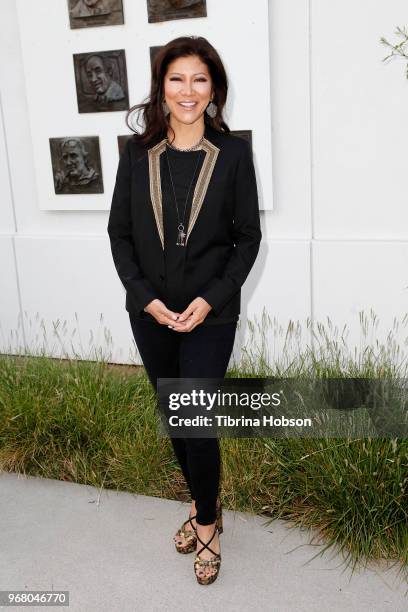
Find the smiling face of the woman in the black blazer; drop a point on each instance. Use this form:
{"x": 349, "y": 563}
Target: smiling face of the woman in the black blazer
{"x": 187, "y": 89}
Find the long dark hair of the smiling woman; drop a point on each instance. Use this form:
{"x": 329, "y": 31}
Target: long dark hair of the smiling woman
{"x": 155, "y": 122}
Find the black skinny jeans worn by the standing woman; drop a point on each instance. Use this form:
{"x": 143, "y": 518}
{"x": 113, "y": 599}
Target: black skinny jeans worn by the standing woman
{"x": 202, "y": 353}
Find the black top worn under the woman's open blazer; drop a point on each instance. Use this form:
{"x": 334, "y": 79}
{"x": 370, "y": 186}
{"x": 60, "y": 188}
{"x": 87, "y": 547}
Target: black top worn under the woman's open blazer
{"x": 185, "y": 168}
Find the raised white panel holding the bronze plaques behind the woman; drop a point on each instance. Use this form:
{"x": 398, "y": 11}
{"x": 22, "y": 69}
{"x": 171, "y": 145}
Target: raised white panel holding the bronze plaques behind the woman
{"x": 50, "y": 83}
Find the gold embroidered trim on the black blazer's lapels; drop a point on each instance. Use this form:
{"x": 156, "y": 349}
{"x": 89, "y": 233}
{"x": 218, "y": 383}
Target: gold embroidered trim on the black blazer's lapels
{"x": 200, "y": 190}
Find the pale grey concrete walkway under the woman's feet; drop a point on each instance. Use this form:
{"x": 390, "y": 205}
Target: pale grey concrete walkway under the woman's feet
{"x": 113, "y": 552}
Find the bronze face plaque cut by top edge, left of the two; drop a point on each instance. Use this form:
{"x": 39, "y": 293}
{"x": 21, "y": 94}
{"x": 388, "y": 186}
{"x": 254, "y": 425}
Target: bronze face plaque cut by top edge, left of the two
{"x": 90, "y": 13}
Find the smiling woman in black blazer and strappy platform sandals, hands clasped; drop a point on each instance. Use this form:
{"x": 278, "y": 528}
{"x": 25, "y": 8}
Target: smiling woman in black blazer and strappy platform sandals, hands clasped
{"x": 185, "y": 231}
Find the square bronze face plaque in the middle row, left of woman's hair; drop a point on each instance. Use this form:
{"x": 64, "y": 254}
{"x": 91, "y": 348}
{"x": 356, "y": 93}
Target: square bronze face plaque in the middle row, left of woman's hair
{"x": 101, "y": 81}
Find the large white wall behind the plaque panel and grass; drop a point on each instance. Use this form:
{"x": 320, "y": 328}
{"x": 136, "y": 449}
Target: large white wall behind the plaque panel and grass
{"x": 335, "y": 242}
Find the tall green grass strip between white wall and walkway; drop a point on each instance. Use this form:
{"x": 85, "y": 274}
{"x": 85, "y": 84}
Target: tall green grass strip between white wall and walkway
{"x": 92, "y": 423}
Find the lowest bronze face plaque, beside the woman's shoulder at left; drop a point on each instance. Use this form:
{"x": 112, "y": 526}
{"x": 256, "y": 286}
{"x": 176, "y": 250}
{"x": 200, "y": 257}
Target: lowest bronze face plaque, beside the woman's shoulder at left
{"x": 76, "y": 165}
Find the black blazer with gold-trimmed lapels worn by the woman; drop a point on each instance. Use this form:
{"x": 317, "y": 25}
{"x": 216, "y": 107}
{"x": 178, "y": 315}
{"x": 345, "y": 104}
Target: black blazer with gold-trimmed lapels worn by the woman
{"x": 223, "y": 233}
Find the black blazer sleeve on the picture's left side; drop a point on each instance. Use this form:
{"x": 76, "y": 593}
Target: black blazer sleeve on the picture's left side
{"x": 120, "y": 235}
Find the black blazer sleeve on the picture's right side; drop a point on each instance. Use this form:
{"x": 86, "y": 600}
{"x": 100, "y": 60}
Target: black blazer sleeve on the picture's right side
{"x": 247, "y": 236}
